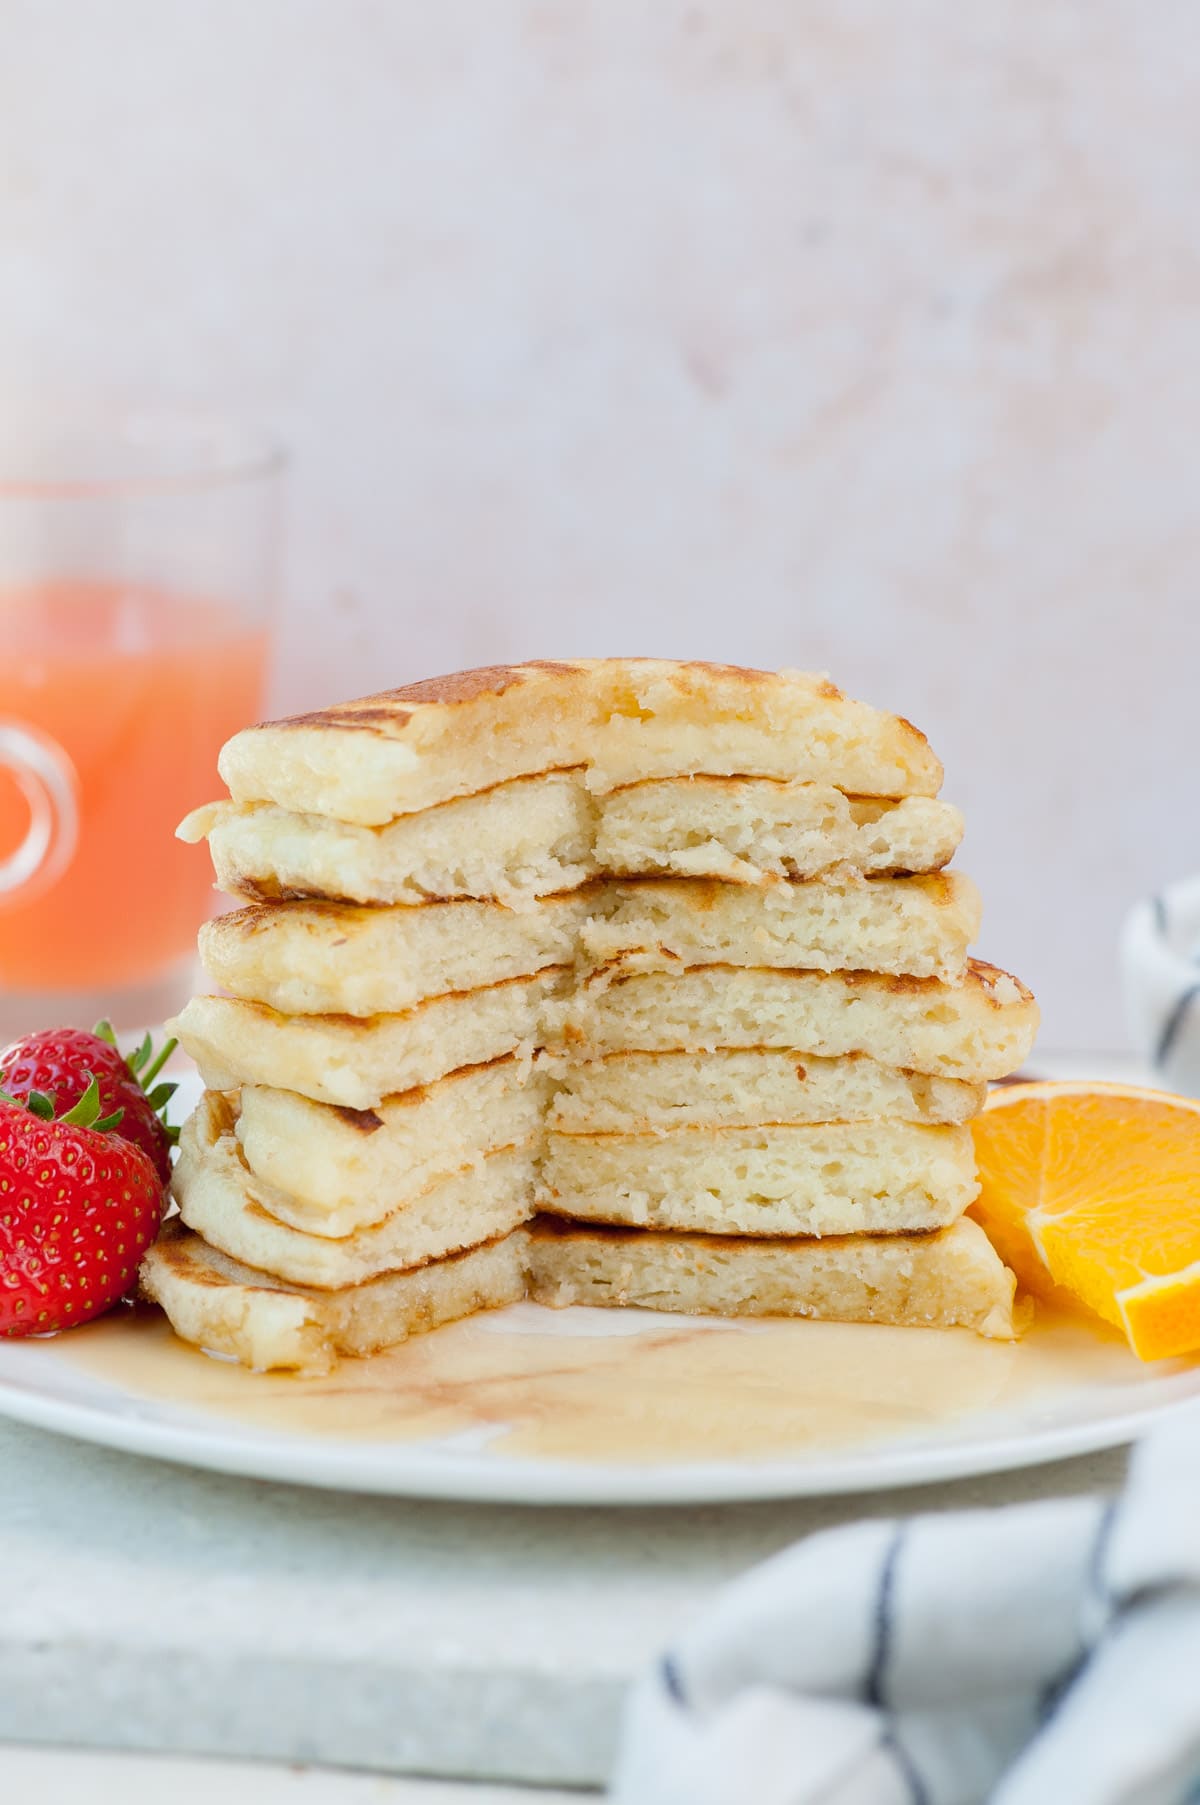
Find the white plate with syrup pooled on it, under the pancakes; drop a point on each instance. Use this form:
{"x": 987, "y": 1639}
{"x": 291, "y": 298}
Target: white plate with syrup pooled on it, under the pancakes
{"x": 607, "y": 1407}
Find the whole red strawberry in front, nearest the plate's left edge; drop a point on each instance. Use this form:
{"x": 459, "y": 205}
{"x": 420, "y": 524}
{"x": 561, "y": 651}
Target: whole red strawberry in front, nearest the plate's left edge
{"x": 78, "y": 1208}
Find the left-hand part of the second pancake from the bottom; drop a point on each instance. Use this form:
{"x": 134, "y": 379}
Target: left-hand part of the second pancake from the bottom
{"x": 248, "y": 1219}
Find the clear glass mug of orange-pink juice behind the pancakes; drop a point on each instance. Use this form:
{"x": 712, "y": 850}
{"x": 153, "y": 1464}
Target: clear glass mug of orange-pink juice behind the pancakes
{"x": 138, "y": 579}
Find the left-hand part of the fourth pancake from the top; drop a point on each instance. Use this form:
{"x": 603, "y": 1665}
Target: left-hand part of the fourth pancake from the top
{"x": 358, "y": 1062}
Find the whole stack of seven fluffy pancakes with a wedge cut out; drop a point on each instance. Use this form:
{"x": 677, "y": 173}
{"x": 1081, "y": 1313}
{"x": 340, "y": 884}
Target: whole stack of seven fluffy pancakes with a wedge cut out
{"x": 609, "y": 983}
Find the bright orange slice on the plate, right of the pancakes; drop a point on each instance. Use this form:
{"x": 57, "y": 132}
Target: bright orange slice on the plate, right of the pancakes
{"x": 1093, "y": 1196}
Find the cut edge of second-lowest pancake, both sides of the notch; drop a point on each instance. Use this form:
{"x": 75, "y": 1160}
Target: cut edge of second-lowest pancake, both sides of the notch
{"x": 412, "y": 1205}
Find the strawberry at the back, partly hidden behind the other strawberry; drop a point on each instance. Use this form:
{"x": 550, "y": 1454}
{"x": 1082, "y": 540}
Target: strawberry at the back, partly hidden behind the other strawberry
{"x": 64, "y": 1060}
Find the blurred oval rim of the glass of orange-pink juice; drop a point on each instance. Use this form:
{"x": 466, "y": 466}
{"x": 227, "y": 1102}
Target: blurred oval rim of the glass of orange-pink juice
{"x": 194, "y": 454}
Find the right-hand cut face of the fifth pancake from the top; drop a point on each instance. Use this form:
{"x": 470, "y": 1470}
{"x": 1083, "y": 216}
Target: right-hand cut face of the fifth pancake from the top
{"x": 629, "y": 1093}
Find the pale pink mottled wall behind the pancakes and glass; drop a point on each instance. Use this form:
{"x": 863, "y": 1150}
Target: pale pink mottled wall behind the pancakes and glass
{"x": 836, "y": 335}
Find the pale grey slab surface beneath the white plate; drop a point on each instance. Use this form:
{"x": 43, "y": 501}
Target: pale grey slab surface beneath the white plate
{"x": 178, "y": 1611}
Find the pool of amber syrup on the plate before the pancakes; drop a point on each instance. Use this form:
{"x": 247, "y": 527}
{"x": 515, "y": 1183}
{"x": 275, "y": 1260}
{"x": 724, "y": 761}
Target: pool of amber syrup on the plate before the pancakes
{"x": 618, "y": 1387}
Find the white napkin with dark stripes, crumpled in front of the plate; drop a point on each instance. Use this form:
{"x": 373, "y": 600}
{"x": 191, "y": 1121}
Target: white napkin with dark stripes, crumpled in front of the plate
{"x": 1040, "y": 1654}
